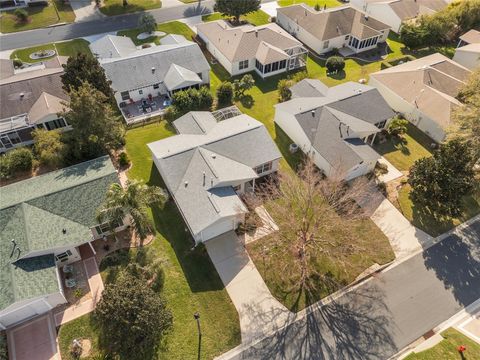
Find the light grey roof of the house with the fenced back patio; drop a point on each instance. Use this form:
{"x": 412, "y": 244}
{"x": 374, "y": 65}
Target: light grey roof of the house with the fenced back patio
{"x": 149, "y": 66}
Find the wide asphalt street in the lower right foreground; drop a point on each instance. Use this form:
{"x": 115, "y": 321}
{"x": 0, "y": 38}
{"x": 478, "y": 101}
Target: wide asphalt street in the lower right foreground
{"x": 395, "y": 308}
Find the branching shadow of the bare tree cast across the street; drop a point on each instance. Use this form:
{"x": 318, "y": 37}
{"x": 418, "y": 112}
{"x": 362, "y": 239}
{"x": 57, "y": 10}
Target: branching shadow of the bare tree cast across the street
{"x": 356, "y": 326}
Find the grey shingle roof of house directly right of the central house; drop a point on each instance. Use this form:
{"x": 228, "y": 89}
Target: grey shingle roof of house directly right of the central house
{"x": 331, "y": 117}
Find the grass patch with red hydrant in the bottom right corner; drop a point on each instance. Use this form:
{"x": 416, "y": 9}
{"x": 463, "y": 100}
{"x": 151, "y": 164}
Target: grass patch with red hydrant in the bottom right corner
{"x": 447, "y": 349}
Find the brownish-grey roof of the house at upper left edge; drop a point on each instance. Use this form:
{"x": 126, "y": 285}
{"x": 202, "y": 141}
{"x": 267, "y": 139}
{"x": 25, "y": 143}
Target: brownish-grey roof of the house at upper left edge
{"x": 19, "y": 92}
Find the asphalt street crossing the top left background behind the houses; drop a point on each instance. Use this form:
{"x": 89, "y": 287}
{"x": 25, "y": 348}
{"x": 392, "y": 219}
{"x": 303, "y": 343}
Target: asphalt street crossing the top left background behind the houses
{"x": 109, "y": 24}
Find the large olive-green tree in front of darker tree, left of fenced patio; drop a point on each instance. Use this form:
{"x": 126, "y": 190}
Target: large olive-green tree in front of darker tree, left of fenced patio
{"x": 96, "y": 127}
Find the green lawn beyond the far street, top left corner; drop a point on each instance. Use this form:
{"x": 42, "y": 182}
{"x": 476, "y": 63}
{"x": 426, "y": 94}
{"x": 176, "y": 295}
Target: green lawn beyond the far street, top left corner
{"x": 39, "y": 16}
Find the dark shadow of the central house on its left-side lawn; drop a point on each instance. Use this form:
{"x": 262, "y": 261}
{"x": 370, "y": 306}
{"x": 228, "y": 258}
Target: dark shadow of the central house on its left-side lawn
{"x": 195, "y": 262}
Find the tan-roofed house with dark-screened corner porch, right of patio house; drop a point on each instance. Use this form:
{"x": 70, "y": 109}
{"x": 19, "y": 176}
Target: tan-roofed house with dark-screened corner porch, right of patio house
{"x": 267, "y": 49}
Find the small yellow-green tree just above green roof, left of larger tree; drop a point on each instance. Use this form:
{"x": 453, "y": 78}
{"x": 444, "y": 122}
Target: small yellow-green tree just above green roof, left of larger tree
{"x": 48, "y": 147}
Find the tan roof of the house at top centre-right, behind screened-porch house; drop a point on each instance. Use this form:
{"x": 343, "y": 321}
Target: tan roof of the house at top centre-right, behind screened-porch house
{"x": 334, "y": 22}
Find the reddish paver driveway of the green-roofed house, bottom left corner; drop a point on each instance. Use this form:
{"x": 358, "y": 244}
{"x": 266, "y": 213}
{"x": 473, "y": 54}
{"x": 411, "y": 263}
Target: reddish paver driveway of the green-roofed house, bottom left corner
{"x": 35, "y": 340}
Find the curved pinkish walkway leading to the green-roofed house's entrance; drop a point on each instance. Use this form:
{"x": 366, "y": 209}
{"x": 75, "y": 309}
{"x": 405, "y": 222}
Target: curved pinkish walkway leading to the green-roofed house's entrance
{"x": 96, "y": 288}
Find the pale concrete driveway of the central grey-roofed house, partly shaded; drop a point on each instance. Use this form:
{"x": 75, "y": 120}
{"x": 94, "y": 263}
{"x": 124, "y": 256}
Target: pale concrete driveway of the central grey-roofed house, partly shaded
{"x": 260, "y": 313}
